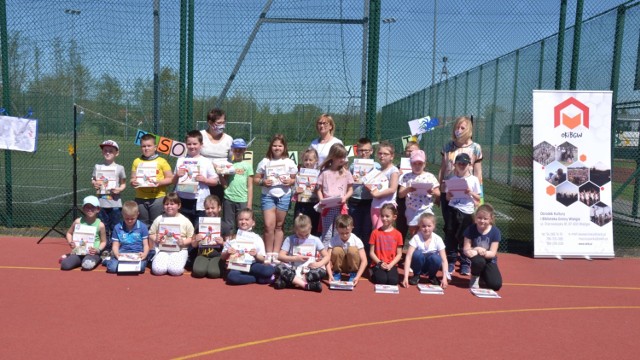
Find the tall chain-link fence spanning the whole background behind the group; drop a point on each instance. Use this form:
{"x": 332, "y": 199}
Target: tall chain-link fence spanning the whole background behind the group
{"x": 275, "y": 65}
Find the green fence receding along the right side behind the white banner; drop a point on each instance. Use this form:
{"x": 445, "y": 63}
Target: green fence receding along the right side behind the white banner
{"x": 497, "y": 94}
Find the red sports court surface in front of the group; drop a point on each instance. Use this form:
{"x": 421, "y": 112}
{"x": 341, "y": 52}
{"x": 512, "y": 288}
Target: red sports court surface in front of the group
{"x": 571, "y": 309}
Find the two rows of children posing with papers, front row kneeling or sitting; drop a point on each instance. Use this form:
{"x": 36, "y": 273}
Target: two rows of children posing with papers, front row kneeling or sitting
{"x": 343, "y": 222}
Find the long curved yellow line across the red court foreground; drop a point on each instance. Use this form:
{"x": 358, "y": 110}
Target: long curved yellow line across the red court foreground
{"x": 394, "y": 321}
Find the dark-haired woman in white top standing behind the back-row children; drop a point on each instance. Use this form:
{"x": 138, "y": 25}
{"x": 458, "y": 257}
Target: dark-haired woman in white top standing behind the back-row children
{"x": 215, "y": 143}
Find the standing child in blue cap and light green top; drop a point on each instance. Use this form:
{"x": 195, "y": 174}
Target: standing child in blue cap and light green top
{"x": 238, "y": 192}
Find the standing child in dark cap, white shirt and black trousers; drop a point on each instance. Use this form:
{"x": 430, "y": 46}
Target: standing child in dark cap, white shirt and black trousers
{"x": 461, "y": 207}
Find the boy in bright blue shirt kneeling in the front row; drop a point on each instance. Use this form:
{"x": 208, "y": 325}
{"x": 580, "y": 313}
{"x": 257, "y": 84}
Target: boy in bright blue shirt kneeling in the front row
{"x": 129, "y": 236}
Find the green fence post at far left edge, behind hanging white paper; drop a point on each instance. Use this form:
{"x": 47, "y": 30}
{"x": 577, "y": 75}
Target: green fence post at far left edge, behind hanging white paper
{"x": 6, "y": 100}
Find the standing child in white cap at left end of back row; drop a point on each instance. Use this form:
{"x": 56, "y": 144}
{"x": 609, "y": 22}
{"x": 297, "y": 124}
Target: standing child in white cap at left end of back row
{"x": 109, "y": 180}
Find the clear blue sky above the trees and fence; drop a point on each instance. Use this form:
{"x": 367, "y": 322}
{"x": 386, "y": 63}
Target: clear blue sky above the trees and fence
{"x": 293, "y": 63}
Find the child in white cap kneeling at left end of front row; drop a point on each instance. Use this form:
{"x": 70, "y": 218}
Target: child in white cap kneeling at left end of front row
{"x": 90, "y": 258}
